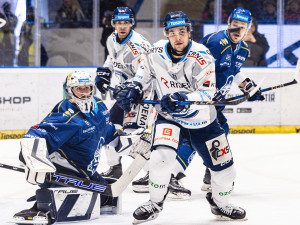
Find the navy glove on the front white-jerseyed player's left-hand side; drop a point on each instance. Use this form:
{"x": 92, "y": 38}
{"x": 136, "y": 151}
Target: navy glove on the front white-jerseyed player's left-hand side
{"x": 126, "y": 95}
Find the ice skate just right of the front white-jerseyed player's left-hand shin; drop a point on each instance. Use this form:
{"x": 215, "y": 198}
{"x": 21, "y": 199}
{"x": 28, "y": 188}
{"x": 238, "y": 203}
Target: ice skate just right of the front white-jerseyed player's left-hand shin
{"x": 176, "y": 189}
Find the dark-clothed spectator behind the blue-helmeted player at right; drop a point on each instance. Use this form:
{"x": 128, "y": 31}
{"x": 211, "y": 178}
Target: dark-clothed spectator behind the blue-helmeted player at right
{"x": 258, "y": 47}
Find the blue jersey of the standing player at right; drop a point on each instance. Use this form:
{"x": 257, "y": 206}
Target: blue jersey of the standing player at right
{"x": 228, "y": 62}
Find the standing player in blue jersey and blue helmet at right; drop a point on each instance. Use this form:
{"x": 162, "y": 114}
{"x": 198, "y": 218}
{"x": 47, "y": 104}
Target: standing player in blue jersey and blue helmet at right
{"x": 230, "y": 52}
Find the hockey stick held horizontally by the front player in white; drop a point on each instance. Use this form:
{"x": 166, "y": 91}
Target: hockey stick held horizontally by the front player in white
{"x": 231, "y": 101}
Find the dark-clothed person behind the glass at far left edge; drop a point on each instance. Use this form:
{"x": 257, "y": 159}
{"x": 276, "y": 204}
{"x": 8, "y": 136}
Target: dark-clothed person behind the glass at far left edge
{"x": 7, "y": 37}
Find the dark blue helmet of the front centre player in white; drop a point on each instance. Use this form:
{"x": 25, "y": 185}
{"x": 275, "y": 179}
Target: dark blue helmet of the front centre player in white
{"x": 176, "y": 19}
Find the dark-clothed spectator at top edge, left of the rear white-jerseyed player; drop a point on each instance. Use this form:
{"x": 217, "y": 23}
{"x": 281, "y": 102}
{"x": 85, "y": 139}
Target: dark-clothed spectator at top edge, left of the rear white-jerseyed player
{"x": 70, "y": 14}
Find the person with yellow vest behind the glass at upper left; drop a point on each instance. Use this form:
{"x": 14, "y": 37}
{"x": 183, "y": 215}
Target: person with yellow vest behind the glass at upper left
{"x": 26, "y": 55}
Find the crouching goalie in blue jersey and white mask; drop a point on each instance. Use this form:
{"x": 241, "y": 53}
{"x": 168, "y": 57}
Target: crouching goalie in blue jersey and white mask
{"x": 67, "y": 141}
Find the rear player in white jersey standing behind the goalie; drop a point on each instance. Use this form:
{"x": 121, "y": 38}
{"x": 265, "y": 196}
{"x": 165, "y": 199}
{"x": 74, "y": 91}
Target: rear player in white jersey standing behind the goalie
{"x": 125, "y": 47}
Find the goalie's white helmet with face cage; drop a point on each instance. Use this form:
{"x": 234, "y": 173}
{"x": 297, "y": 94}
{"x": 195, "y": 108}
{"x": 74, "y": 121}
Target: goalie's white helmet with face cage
{"x": 80, "y": 89}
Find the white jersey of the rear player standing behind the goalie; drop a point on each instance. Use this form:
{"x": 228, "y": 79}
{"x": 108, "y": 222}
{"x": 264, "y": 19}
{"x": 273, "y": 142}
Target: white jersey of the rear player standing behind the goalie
{"x": 123, "y": 58}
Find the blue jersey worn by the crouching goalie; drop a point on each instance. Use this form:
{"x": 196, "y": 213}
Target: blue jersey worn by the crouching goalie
{"x": 74, "y": 139}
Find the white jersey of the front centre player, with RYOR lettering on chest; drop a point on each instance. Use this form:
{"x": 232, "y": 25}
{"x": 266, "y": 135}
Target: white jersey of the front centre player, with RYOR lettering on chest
{"x": 194, "y": 74}
